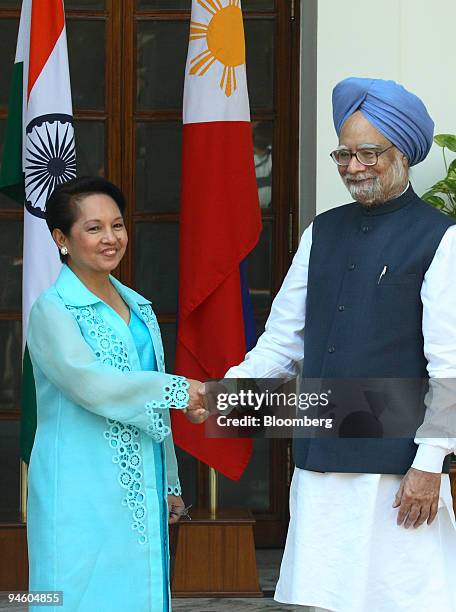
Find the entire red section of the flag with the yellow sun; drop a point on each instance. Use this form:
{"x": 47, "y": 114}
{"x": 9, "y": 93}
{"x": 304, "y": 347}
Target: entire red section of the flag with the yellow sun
{"x": 220, "y": 225}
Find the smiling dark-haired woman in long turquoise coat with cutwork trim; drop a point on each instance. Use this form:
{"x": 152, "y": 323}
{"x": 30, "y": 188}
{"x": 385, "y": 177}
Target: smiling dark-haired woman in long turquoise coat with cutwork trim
{"x": 103, "y": 460}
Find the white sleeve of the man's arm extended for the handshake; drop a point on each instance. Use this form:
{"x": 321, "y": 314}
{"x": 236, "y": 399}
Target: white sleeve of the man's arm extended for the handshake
{"x": 281, "y": 347}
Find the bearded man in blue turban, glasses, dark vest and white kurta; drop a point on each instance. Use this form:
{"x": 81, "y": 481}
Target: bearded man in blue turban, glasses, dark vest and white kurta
{"x": 370, "y": 294}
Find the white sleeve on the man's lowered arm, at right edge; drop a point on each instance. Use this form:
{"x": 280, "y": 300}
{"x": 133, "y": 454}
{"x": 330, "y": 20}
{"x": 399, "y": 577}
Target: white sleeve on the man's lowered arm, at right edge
{"x": 438, "y": 295}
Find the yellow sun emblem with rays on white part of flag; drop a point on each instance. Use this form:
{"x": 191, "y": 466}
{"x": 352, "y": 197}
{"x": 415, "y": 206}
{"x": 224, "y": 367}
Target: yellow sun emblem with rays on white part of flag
{"x": 224, "y": 35}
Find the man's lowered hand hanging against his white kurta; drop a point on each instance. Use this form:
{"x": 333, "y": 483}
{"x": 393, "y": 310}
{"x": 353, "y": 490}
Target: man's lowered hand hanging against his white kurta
{"x": 417, "y": 498}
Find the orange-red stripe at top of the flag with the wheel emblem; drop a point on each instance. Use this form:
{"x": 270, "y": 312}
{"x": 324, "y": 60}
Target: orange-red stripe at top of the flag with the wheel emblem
{"x": 48, "y": 20}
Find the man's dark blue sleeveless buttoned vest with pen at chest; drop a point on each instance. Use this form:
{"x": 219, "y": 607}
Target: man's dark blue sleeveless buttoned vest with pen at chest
{"x": 361, "y": 326}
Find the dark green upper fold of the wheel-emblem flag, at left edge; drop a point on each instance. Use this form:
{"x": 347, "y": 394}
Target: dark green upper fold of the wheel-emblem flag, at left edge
{"x": 11, "y": 174}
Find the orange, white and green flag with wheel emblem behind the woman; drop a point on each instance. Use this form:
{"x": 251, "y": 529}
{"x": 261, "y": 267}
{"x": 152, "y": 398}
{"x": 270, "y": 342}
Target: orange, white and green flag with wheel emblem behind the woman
{"x": 39, "y": 153}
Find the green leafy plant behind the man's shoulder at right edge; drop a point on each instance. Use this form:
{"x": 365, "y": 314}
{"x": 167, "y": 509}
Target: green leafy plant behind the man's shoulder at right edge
{"x": 442, "y": 195}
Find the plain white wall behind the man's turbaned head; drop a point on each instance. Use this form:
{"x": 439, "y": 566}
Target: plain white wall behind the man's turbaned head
{"x": 410, "y": 41}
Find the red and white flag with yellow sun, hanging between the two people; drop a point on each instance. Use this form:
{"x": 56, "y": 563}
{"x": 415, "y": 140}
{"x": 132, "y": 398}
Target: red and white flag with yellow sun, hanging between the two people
{"x": 220, "y": 220}
